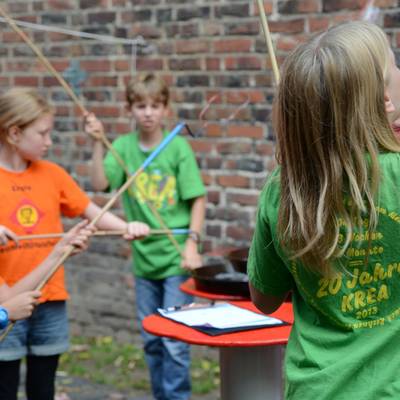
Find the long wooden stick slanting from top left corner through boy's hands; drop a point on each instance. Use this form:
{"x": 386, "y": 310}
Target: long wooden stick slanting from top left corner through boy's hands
{"x": 83, "y": 110}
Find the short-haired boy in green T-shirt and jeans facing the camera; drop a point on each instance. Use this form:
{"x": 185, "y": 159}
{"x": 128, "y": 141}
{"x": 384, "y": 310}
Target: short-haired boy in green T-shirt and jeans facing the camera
{"x": 173, "y": 185}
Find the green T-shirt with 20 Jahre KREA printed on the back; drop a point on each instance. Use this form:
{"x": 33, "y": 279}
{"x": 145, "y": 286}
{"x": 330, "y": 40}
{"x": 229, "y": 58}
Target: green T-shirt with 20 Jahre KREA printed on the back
{"x": 347, "y": 329}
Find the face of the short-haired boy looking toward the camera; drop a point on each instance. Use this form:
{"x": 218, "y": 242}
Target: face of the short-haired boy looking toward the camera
{"x": 149, "y": 114}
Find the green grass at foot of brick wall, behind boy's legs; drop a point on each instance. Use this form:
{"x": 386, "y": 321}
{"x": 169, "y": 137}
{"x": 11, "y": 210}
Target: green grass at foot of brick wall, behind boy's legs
{"x": 103, "y": 360}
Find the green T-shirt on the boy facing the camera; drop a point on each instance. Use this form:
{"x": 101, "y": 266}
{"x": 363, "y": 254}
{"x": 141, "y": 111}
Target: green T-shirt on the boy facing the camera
{"x": 170, "y": 182}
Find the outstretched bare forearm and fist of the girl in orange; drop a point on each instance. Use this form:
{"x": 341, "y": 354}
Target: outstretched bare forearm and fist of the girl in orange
{"x": 109, "y": 221}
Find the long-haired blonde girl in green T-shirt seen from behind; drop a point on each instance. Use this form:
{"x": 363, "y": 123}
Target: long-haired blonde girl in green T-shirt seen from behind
{"x": 329, "y": 217}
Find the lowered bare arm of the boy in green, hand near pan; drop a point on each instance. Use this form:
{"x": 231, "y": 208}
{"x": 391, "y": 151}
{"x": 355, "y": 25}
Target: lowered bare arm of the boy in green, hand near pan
{"x": 191, "y": 257}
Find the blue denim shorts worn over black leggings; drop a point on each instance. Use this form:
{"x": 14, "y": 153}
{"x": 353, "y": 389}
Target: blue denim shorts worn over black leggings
{"x": 45, "y": 333}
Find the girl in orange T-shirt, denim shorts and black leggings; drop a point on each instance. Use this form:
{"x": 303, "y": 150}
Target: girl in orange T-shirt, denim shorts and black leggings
{"x": 35, "y": 194}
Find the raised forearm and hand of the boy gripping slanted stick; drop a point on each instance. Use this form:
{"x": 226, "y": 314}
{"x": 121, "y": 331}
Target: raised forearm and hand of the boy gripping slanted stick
{"x": 94, "y": 127}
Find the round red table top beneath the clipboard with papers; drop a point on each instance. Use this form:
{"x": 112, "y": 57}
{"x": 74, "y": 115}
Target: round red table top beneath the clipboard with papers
{"x": 160, "y": 326}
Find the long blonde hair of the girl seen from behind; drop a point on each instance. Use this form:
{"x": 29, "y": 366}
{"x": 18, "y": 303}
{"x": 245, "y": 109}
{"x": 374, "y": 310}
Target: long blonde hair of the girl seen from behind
{"x": 331, "y": 125}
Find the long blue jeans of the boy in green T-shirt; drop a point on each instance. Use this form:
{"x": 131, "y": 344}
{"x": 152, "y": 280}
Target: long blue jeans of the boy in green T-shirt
{"x": 168, "y": 360}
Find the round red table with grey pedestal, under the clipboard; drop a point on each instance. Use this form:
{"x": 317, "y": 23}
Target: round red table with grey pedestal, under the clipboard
{"x": 250, "y": 361}
